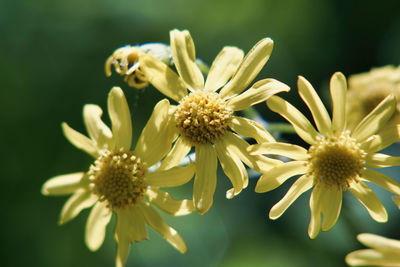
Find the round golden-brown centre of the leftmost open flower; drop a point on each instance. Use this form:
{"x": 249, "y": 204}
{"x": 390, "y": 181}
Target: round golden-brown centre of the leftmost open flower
{"x": 117, "y": 177}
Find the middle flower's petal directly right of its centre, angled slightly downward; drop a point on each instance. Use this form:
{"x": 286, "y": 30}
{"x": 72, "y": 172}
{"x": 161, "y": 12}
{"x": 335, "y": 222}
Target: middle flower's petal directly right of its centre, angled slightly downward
{"x": 249, "y": 128}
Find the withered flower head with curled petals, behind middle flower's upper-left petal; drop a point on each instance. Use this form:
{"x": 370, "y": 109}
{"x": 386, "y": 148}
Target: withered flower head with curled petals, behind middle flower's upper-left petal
{"x": 126, "y": 62}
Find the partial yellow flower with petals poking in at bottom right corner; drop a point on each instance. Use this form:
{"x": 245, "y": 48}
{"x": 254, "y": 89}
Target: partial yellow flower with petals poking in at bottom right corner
{"x": 383, "y": 252}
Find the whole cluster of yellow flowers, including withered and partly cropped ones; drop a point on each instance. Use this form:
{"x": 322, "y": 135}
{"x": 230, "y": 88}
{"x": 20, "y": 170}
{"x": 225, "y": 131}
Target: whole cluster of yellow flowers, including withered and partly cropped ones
{"x": 126, "y": 181}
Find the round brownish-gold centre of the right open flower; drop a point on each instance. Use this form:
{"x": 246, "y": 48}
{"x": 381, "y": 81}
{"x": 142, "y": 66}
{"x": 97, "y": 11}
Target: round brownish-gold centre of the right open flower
{"x": 335, "y": 161}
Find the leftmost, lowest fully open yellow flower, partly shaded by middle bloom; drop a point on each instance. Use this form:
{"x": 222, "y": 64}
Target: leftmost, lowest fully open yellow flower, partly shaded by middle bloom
{"x": 119, "y": 180}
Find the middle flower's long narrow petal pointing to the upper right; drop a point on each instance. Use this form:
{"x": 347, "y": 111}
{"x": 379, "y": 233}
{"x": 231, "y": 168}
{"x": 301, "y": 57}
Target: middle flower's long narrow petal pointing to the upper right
{"x": 249, "y": 69}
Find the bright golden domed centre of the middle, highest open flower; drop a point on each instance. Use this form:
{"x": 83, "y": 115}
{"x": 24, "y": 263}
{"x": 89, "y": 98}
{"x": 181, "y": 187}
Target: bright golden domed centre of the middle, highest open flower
{"x": 202, "y": 117}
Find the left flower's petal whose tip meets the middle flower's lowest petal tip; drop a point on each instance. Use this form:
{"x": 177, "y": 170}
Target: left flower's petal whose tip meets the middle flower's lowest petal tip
{"x": 165, "y": 202}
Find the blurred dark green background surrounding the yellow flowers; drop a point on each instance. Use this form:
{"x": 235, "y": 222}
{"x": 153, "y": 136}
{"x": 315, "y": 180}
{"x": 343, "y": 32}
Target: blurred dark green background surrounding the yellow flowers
{"x": 52, "y": 56}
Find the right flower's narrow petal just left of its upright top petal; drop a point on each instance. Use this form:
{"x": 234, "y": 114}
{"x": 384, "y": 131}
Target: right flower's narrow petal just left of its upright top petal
{"x": 314, "y": 103}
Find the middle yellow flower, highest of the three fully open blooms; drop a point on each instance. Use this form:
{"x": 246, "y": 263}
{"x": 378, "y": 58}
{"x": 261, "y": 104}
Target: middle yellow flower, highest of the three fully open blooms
{"x": 204, "y": 118}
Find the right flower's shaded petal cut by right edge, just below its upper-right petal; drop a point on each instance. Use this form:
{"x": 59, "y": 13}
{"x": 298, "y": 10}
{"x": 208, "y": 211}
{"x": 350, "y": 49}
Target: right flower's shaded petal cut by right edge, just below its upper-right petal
{"x": 383, "y": 139}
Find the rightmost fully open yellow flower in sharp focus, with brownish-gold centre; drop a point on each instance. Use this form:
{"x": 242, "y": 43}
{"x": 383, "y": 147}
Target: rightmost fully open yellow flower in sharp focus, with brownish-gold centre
{"x": 337, "y": 158}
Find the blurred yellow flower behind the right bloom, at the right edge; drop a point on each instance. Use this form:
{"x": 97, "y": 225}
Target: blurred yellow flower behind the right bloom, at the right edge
{"x": 367, "y": 90}
